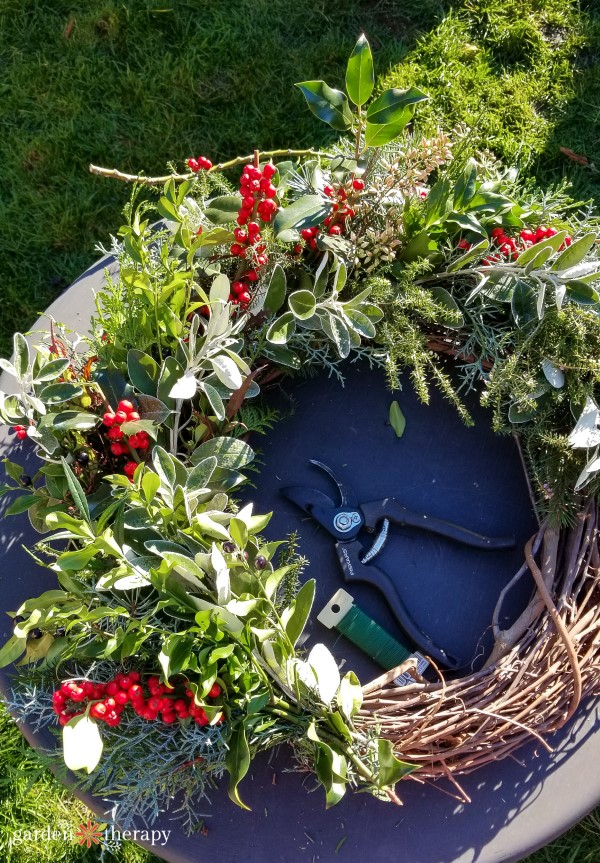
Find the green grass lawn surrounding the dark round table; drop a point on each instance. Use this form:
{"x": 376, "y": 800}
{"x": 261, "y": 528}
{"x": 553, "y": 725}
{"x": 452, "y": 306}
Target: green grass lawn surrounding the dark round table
{"x": 135, "y": 84}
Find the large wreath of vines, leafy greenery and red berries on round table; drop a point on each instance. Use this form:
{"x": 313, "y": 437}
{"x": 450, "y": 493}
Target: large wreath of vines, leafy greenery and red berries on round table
{"x": 175, "y": 624}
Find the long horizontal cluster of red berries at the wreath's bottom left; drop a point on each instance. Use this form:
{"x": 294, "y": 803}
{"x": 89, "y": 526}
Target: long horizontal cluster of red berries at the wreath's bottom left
{"x": 149, "y": 701}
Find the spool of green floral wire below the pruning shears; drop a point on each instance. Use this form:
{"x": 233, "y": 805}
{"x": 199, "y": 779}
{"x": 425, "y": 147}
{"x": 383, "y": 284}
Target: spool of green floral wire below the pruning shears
{"x": 341, "y": 613}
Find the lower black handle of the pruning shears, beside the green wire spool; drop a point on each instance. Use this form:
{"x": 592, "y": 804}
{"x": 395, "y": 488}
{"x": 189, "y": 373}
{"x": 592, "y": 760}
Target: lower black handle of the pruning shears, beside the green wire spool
{"x": 354, "y": 570}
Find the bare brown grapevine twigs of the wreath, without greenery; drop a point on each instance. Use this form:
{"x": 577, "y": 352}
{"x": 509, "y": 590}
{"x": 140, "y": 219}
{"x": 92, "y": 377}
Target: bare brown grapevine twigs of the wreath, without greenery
{"x": 532, "y": 683}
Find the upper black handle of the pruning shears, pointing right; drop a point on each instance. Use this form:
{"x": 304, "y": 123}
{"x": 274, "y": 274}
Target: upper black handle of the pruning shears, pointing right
{"x": 389, "y": 508}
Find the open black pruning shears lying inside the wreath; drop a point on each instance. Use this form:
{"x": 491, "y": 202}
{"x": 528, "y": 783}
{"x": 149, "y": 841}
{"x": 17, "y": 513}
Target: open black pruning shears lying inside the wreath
{"x": 345, "y": 521}
